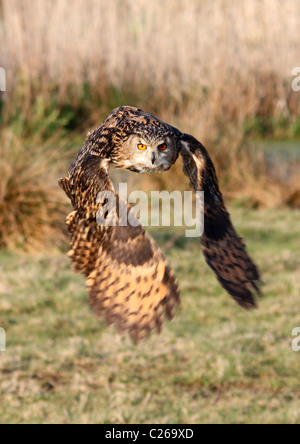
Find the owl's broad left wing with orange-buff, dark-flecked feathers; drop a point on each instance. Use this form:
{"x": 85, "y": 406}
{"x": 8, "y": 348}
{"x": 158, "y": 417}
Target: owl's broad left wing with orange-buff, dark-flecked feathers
{"x": 128, "y": 279}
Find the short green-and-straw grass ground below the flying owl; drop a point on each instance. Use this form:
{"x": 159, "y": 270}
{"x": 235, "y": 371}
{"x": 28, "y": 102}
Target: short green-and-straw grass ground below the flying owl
{"x": 212, "y": 363}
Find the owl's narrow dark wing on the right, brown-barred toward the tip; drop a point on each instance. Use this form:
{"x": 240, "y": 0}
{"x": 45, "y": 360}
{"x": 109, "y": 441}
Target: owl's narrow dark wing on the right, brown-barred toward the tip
{"x": 224, "y": 250}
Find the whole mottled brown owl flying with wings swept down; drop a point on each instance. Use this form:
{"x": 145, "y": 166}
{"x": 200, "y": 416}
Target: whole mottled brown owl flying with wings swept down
{"x": 129, "y": 281}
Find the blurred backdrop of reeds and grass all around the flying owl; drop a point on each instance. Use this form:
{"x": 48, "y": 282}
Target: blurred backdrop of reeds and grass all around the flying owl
{"x": 219, "y": 70}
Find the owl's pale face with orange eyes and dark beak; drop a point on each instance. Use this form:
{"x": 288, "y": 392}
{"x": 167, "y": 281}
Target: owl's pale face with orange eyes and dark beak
{"x": 143, "y": 154}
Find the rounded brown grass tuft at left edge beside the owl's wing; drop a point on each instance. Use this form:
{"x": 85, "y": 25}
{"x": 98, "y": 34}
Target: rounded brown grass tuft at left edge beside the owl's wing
{"x": 31, "y": 205}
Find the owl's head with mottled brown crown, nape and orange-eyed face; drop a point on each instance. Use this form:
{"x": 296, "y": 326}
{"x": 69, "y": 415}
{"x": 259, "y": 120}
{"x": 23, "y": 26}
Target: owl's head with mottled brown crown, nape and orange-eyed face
{"x": 135, "y": 140}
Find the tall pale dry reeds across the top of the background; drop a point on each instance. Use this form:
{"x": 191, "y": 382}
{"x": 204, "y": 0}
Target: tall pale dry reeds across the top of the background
{"x": 206, "y": 63}
